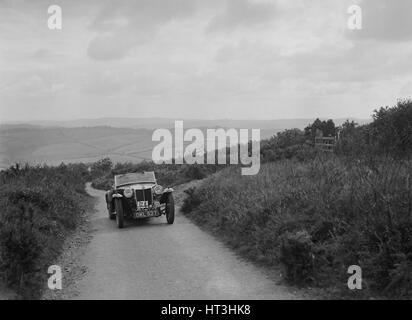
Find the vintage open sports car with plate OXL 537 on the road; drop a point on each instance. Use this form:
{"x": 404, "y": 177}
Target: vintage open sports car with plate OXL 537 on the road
{"x": 137, "y": 195}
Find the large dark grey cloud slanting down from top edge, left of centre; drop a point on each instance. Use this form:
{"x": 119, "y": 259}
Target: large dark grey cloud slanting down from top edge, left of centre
{"x": 122, "y": 25}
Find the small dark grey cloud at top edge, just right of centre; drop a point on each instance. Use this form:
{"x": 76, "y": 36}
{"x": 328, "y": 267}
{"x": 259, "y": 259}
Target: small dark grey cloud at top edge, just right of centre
{"x": 242, "y": 13}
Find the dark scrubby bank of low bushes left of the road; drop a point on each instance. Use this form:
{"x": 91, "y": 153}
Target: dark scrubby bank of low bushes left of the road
{"x": 40, "y": 207}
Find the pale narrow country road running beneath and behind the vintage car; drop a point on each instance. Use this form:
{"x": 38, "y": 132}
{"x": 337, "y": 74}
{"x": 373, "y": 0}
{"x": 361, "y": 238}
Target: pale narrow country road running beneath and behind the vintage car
{"x": 153, "y": 260}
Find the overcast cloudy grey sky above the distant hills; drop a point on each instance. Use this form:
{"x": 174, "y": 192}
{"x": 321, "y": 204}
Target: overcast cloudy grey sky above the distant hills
{"x": 204, "y": 59}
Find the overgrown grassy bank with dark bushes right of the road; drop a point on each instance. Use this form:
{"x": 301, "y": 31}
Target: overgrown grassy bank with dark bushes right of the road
{"x": 315, "y": 214}
